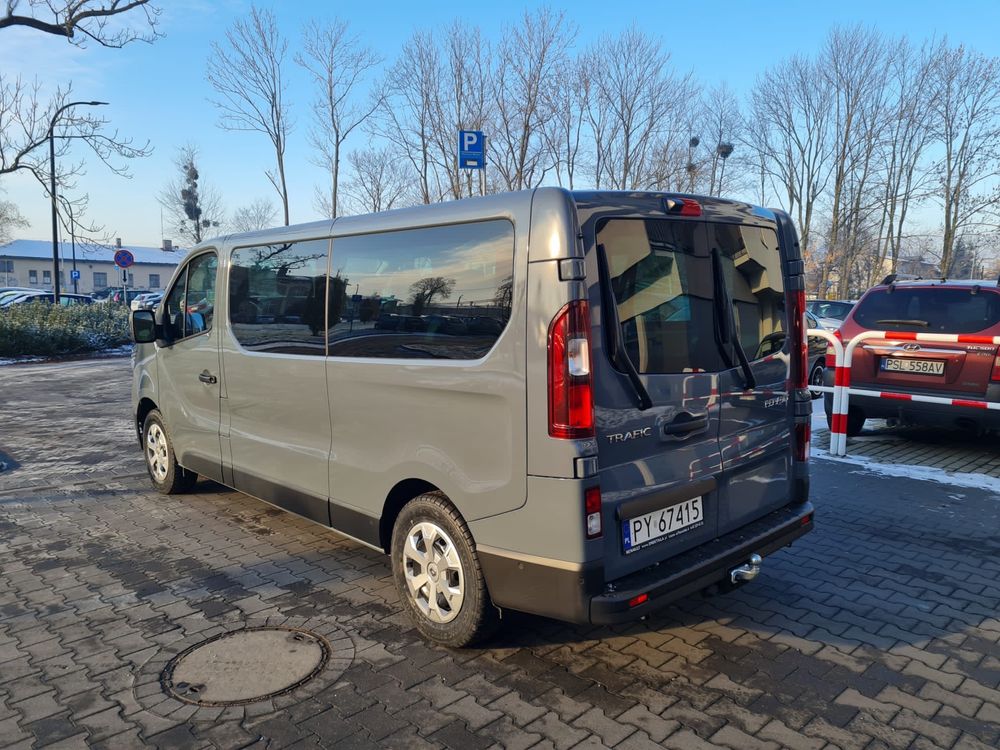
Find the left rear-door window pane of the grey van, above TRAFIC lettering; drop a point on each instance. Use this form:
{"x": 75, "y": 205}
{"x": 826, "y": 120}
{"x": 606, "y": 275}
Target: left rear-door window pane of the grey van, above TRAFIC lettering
{"x": 661, "y": 275}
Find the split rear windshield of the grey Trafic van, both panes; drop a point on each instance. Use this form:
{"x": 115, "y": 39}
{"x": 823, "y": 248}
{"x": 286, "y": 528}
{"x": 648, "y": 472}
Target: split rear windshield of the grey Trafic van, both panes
{"x": 662, "y": 279}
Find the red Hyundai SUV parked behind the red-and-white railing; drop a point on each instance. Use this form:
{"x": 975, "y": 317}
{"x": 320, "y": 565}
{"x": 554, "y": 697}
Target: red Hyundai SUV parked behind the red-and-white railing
{"x": 969, "y": 372}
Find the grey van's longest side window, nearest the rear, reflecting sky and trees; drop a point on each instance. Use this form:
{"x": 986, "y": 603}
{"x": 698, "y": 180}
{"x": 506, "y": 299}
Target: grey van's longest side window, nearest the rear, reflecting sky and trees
{"x": 439, "y": 292}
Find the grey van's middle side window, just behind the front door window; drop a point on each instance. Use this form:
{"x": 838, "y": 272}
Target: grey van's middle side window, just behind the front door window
{"x": 276, "y": 295}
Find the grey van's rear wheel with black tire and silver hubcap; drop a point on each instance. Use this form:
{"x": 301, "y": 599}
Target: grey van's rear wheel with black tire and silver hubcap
{"x": 475, "y": 618}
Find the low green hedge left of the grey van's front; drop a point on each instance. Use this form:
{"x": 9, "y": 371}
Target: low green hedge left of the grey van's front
{"x": 42, "y": 329}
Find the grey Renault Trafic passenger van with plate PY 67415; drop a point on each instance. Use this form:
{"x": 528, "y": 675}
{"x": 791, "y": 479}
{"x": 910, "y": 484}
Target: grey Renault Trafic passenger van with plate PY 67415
{"x": 581, "y": 405}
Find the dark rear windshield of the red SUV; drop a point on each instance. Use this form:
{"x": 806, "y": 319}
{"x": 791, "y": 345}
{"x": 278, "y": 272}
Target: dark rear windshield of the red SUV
{"x": 929, "y": 310}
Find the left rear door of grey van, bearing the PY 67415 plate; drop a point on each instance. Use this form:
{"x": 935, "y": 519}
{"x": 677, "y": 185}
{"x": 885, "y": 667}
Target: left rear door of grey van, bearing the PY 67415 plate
{"x": 657, "y": 428}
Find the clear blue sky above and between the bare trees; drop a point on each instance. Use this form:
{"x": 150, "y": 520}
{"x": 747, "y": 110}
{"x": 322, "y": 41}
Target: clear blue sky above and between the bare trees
{"x": 158, "y": 92}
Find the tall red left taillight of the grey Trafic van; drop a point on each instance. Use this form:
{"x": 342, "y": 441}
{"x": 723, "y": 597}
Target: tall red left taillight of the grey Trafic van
{"x": 571, "y": 401}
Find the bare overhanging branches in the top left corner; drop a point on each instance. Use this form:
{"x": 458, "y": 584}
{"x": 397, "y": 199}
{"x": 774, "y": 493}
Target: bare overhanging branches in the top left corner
{"x": 82, "y": 20}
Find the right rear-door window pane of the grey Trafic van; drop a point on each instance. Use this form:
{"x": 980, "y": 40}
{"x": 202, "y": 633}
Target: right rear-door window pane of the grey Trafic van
{"x": 752, "y": 265}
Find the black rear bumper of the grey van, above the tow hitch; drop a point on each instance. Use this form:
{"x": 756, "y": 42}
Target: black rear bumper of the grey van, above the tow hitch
{"x": 577, "y": 593}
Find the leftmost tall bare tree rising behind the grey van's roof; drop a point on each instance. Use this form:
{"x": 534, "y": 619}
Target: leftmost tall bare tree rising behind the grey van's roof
{"x": 246, "y": 73}
